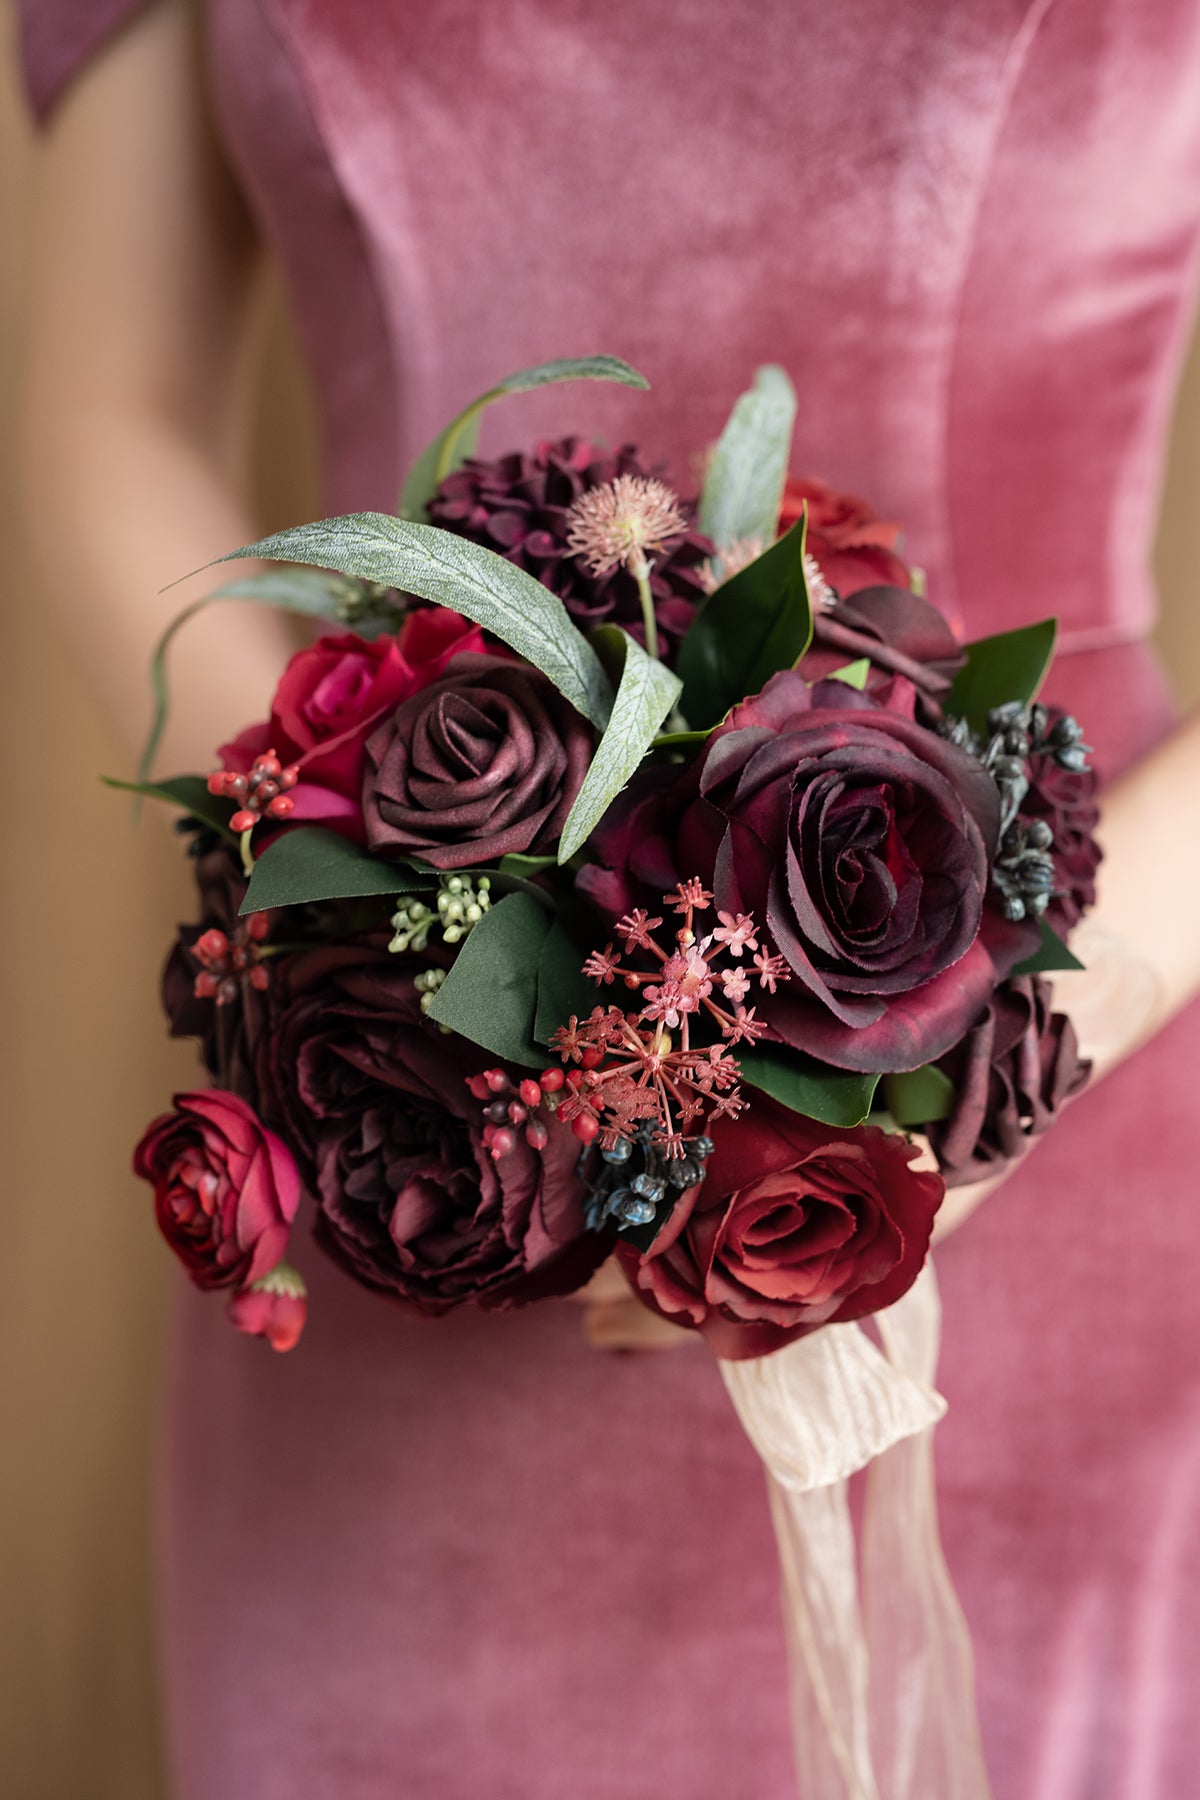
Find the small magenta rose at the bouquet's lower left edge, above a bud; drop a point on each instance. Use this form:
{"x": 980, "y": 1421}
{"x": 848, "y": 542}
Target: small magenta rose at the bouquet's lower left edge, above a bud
{"x": 226, "y": 1189}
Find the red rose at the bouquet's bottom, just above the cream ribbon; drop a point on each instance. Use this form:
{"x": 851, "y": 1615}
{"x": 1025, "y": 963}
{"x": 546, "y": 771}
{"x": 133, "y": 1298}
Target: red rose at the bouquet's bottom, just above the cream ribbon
{"x": 798, "y": 1225}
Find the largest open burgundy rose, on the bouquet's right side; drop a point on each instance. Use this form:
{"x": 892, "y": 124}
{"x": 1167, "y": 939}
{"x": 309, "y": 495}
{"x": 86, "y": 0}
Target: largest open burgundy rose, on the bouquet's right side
{"x": 863, "y": 841}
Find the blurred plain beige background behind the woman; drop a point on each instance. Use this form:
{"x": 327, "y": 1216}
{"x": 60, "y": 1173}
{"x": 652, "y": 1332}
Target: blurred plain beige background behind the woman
{"x": 85, "y": 912}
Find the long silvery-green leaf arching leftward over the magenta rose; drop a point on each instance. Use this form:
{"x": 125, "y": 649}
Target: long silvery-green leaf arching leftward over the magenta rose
{"x": 454, "y": 573}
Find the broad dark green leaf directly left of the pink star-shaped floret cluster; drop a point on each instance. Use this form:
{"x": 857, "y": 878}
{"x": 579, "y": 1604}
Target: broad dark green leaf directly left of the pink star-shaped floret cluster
{"x": 492, "y": 987}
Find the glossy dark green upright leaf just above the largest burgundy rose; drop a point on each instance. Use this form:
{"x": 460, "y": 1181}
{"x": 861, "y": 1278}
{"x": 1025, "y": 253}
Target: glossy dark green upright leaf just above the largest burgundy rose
{"x": 757, "y": 624}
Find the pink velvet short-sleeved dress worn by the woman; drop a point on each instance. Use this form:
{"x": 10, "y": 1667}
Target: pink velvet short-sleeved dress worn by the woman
{"x": 478, "y": 1558}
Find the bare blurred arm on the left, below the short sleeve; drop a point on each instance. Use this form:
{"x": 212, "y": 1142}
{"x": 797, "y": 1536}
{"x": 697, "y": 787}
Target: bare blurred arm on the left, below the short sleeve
{"x": 141, "y": 282}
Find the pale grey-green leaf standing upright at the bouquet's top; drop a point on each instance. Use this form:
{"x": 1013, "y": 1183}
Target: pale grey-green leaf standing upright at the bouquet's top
{"x": 751, "y": 463}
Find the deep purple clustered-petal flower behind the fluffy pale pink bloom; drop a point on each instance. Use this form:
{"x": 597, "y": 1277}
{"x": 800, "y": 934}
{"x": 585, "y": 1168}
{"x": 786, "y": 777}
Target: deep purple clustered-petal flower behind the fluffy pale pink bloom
{"x": 517, "y": 507}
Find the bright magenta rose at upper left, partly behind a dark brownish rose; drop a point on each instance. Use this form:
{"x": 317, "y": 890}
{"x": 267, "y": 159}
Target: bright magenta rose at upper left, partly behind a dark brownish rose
{"x": 330, "y": 699}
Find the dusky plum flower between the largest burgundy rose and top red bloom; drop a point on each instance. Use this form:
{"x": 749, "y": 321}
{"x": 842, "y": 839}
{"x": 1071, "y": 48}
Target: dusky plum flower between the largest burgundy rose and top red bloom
{"x": 899, "y": 633}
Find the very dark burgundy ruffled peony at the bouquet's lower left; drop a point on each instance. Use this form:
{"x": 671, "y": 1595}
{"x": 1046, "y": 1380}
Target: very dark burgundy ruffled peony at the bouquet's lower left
{"x": 375, "y": 1104}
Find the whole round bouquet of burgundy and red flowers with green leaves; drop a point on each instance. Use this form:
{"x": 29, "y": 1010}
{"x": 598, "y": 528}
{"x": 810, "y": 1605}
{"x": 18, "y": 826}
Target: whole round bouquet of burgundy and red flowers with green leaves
{"x": 620, "y": 876}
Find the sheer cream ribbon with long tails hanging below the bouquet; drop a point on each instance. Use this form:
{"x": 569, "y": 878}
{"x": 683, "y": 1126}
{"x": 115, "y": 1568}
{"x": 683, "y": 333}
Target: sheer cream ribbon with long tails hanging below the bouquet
{"x": 881, "y": 1677}
